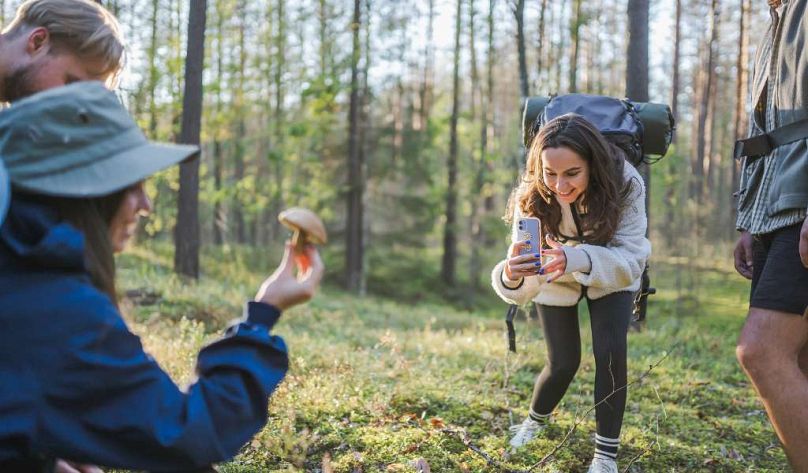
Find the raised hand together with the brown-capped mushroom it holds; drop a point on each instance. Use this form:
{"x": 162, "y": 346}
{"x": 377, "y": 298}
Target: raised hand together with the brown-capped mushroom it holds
{"x": 283, "y": 289}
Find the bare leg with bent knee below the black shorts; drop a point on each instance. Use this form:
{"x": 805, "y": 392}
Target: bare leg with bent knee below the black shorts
{"x": 769, "y": 350}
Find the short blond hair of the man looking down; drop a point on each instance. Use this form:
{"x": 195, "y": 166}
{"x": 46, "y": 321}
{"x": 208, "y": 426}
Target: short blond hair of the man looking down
{"x": 79, "y": 27}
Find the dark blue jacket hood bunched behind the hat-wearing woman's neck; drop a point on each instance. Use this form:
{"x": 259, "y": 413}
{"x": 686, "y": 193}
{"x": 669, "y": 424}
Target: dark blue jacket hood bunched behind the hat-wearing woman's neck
{"x": 33, "y": 234}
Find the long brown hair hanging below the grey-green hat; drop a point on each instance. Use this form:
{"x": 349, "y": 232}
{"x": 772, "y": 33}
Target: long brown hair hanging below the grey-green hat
{"x": 92, "y": 217}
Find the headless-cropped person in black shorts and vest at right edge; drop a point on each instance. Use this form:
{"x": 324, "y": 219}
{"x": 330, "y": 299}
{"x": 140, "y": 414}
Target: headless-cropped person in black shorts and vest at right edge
{"x": 772, "y": 250}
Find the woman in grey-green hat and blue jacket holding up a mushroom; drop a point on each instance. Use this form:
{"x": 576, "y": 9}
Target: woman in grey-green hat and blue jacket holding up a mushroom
{"x": 84, "y": 389}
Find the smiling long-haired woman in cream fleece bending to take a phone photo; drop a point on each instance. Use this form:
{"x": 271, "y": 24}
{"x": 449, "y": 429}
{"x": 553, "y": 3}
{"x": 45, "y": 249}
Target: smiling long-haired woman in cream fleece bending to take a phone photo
{"x": 591, "y": 204}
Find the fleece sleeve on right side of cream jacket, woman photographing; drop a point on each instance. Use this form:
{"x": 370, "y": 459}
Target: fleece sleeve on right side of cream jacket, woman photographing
{"x": 621, "y": 262}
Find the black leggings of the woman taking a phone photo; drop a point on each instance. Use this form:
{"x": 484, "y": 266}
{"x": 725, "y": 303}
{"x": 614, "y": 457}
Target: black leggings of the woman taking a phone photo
{"x": 610, "y": 316}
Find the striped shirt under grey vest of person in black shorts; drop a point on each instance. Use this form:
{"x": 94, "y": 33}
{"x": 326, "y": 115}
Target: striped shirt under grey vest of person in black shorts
{"x": 754, "y": 217}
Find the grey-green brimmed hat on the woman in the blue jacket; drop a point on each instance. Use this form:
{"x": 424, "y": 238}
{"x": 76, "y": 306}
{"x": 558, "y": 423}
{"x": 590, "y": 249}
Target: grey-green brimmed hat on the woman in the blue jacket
{"x": 79, "y": 141}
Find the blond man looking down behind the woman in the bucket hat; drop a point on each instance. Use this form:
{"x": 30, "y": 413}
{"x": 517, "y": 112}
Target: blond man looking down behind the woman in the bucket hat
{"x": 55, "y": 42}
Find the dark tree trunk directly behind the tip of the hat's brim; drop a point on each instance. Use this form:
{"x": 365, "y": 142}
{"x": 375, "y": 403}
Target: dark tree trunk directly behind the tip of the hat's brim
{"x": 186, "y": 233}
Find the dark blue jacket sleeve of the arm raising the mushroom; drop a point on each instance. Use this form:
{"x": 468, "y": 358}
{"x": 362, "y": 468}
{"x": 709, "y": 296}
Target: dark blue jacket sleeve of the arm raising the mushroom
{"x": 107, "y": 402}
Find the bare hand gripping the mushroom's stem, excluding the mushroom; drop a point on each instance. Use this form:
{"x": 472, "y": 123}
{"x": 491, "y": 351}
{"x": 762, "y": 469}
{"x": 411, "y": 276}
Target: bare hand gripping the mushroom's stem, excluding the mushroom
{"x": 283, "y": 289}
